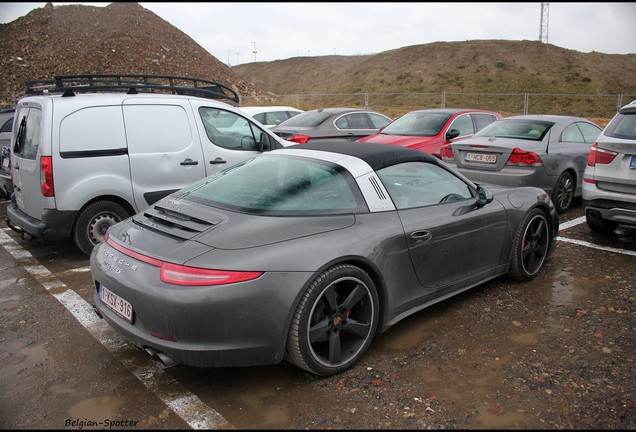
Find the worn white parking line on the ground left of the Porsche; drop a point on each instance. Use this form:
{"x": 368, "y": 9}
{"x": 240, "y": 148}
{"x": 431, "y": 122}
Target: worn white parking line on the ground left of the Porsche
{"x": 185, "y": 404}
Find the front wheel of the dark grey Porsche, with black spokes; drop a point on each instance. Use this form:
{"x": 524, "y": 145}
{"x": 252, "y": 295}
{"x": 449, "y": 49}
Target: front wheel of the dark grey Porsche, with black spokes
{"x": 530, "y": 246}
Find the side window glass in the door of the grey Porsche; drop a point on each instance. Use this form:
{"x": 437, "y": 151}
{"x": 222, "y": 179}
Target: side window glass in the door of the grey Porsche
{"x": 417, "y": 184}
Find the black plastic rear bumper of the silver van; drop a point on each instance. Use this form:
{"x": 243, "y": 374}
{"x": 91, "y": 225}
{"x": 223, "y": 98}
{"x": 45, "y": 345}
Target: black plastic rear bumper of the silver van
{"x": 54, "y": 225}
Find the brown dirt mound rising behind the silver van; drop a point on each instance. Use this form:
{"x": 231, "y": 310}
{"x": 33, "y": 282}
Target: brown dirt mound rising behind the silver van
{"x": 121, "y": 38}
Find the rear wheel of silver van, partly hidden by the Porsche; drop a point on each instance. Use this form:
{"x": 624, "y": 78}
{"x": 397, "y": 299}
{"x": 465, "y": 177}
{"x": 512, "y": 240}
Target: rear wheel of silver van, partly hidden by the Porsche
{"x": 93, "y": 221}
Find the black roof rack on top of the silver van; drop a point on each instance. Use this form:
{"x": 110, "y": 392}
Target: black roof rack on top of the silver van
{"x": 68, "y": 85}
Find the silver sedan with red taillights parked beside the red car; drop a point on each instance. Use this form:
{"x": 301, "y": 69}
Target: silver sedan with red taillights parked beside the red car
{"x": 545, "y": 151}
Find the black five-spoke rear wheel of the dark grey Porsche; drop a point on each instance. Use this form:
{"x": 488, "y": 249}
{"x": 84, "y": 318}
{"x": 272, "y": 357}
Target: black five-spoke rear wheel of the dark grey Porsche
{"x": 335, "y": 321}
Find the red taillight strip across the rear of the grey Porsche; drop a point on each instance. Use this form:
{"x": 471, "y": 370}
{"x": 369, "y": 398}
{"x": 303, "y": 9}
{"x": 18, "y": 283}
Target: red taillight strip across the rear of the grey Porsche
{"x": 184, "y": 275}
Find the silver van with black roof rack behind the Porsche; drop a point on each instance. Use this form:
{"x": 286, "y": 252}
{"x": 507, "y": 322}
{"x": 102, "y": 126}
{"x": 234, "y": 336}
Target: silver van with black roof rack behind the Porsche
{"x": 90, "y": 150}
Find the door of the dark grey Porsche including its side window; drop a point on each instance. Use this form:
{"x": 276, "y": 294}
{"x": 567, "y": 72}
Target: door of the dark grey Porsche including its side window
{"x": 449, "y": 240}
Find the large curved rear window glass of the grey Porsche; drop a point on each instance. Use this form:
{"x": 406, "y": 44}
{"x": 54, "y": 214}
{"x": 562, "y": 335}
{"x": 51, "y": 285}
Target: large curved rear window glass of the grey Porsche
{"x": 283, "y": 185}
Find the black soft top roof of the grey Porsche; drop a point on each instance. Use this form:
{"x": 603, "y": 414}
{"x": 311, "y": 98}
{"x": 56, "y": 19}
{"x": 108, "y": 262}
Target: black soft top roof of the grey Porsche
{"x": 376, "y": 155}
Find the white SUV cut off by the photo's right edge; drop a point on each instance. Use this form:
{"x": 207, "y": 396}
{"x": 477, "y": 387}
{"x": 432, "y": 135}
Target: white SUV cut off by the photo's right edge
{"x": 609, "y": 183}
